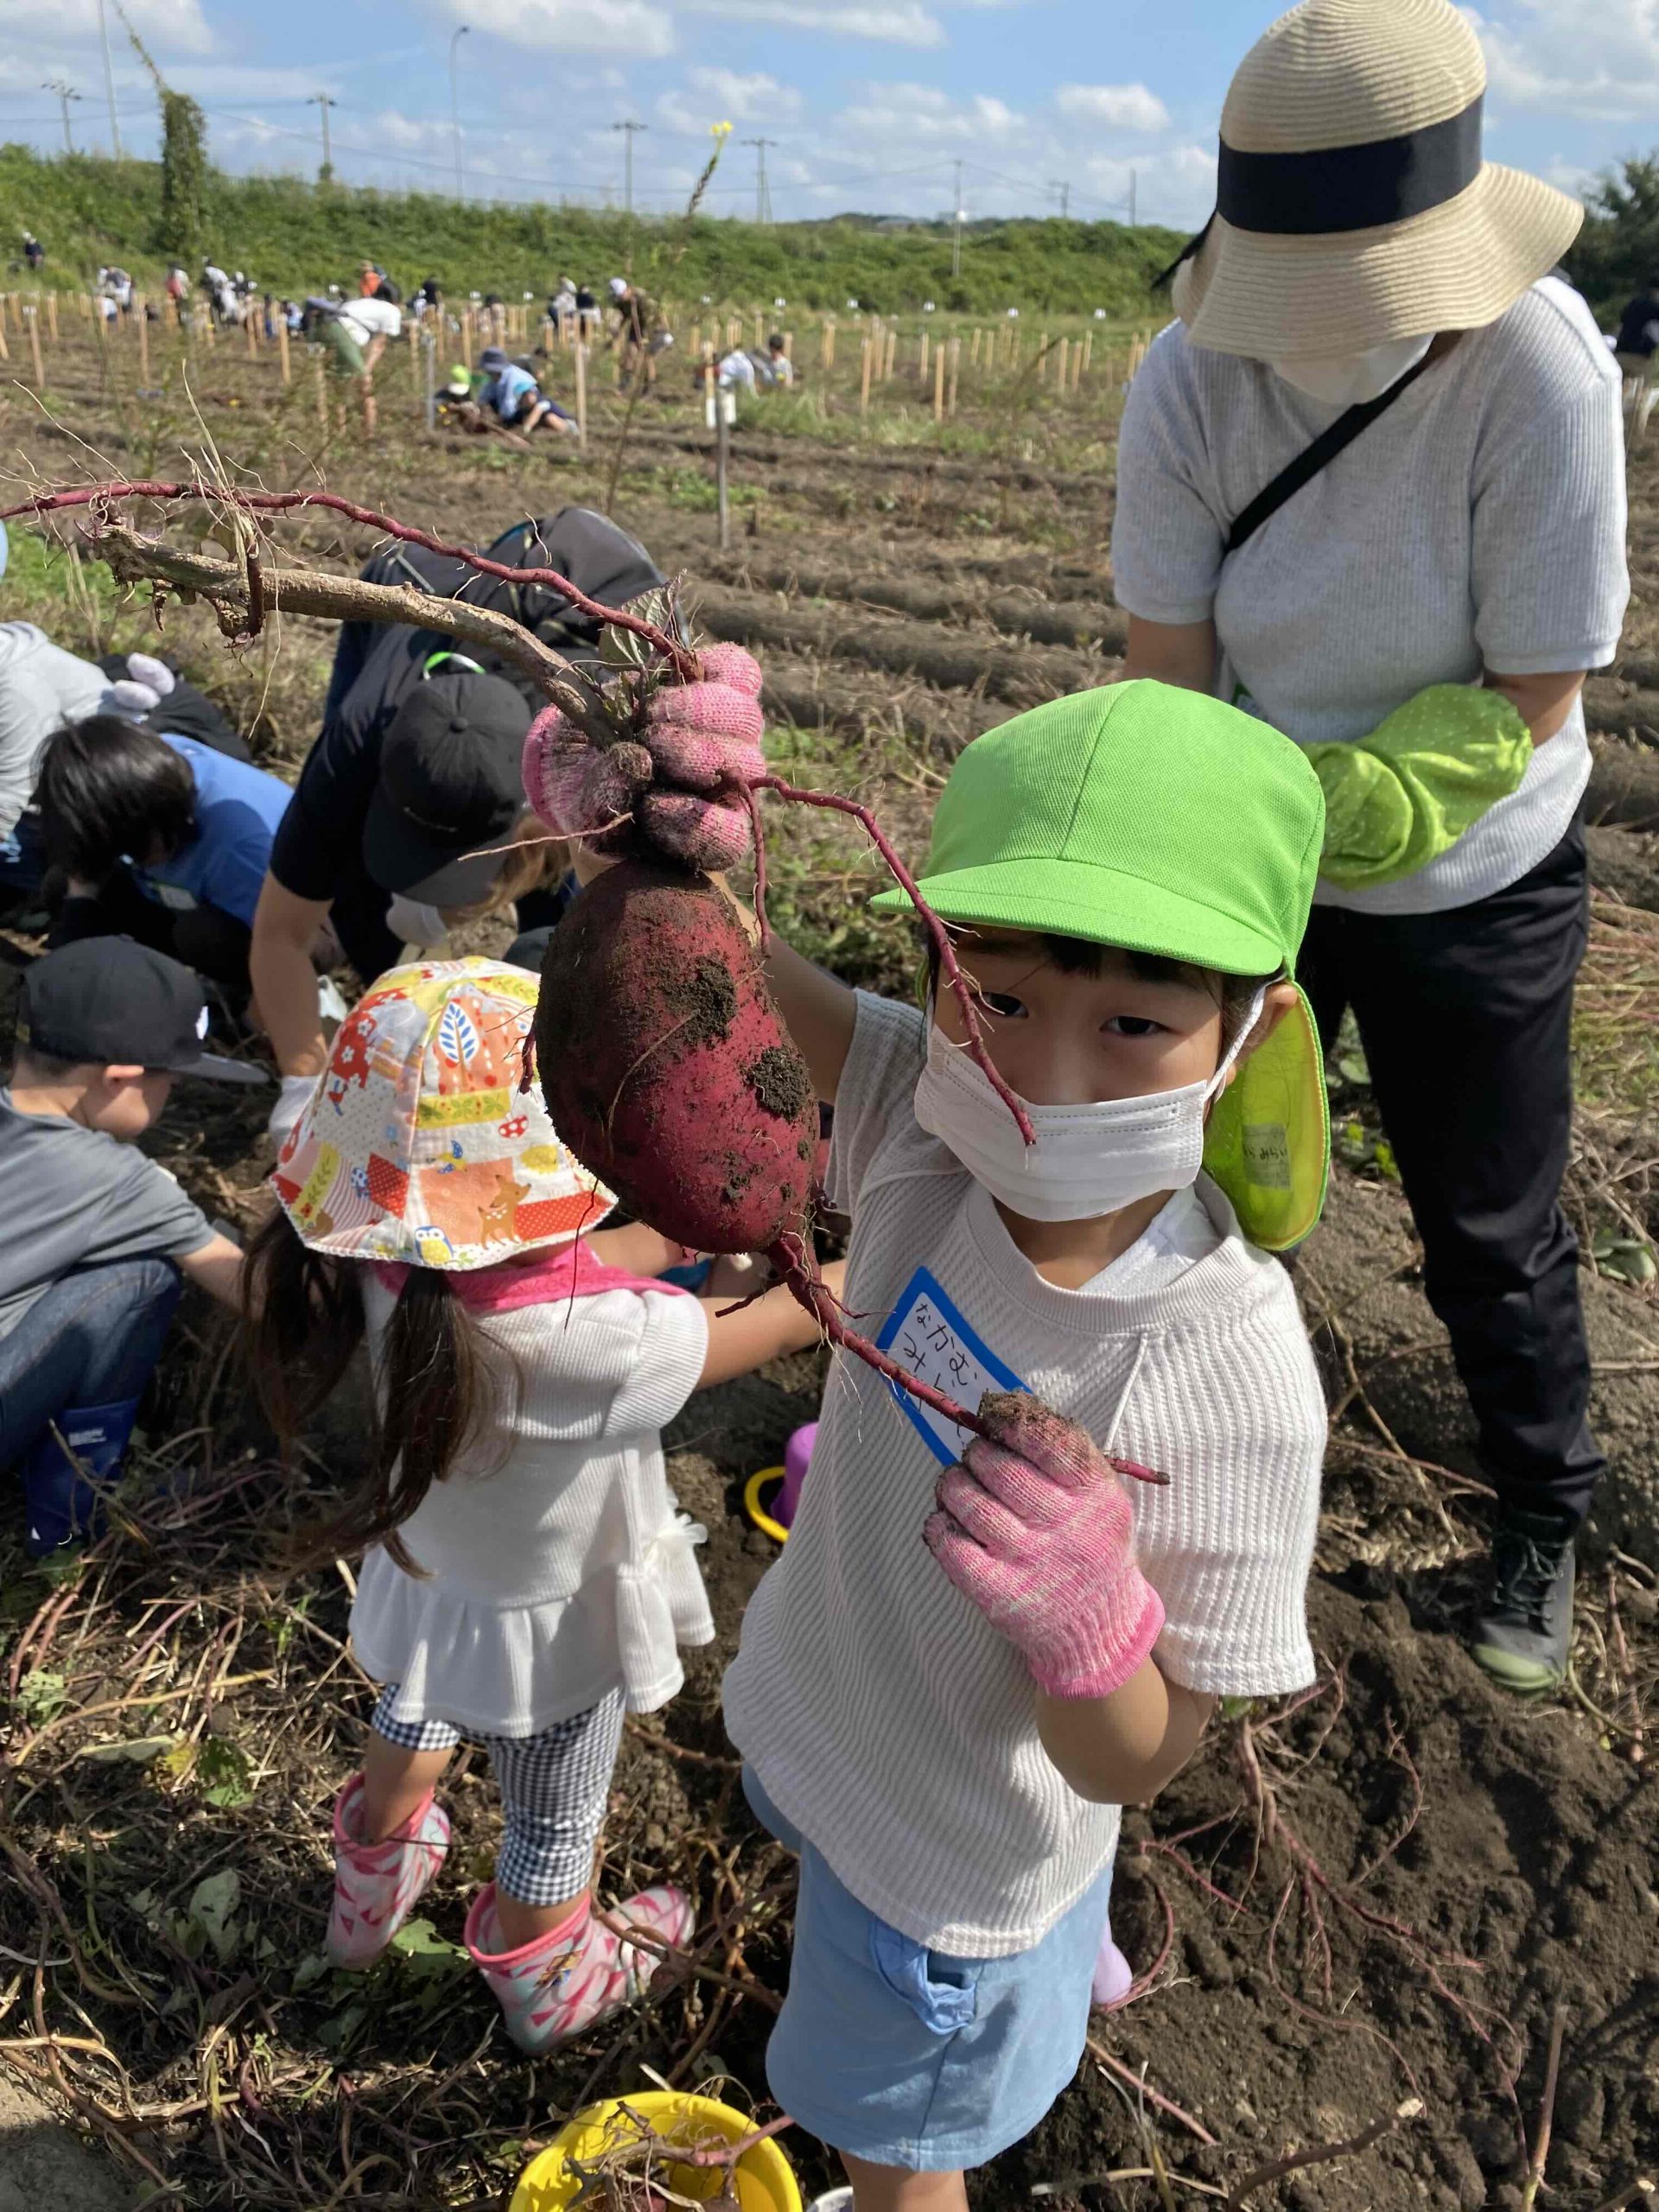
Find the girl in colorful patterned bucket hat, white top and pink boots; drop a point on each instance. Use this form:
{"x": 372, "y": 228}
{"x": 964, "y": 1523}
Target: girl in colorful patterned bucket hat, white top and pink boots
{"x": 528, "y": 1576}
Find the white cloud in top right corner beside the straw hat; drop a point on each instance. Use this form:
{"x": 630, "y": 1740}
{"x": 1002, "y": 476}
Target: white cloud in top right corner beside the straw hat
{"x": 1550, "y": 54}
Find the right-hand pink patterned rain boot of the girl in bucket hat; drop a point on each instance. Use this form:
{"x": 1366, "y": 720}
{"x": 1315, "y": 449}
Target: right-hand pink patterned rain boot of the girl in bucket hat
{"x": 576, "y": 1974}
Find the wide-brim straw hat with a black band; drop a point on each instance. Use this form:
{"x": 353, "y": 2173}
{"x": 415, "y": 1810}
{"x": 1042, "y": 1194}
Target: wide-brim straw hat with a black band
{"x": 1353, "y": 202}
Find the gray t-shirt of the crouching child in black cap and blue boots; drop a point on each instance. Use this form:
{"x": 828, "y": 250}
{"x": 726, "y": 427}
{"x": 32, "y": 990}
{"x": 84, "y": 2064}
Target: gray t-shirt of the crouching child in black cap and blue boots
{"x": 74, "y": 1198}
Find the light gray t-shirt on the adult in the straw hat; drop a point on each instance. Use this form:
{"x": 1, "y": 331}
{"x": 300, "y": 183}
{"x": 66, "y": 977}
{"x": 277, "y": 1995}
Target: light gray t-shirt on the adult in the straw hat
{"x": 1474, "y": 525}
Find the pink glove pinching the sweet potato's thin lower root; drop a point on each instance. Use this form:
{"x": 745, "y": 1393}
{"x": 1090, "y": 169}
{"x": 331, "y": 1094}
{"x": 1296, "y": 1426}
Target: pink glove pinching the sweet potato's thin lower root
{"x": 1039, "y": 1534}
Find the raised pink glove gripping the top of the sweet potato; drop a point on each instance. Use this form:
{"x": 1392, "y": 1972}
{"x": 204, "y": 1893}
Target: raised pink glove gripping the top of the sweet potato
{"x": 660, "y": 789}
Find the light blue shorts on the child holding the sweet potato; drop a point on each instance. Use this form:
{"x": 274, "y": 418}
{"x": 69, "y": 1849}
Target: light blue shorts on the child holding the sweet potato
{"x": 906, "y": 2056}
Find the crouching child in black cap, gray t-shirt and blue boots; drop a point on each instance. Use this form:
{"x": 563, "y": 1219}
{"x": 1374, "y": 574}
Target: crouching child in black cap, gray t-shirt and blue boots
{"x": 94, "y": 1238}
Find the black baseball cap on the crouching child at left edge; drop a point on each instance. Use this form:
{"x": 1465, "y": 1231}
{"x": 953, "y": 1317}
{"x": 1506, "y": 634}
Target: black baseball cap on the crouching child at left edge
{"x": 116, "y": 1003}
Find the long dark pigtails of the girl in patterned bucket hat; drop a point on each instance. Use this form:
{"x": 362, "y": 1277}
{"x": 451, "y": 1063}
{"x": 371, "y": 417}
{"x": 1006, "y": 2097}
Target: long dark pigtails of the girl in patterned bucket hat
{"x": 437, "y": 1386}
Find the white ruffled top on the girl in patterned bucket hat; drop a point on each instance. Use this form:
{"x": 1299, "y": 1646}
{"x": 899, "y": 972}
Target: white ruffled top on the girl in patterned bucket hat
{"x": 556, "y": 1563}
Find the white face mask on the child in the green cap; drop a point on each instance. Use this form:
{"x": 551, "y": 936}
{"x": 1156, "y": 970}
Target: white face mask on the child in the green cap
{"x": 1087, "y": 1160}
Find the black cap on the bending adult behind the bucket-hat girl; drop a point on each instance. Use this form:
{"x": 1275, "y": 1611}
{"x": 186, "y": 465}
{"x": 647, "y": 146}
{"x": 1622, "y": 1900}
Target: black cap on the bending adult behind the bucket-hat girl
{"x": 450, "y": 786}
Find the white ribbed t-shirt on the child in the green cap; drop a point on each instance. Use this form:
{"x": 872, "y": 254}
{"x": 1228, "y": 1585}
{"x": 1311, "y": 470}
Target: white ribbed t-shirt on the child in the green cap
{"x": 879, "y": 1709}
